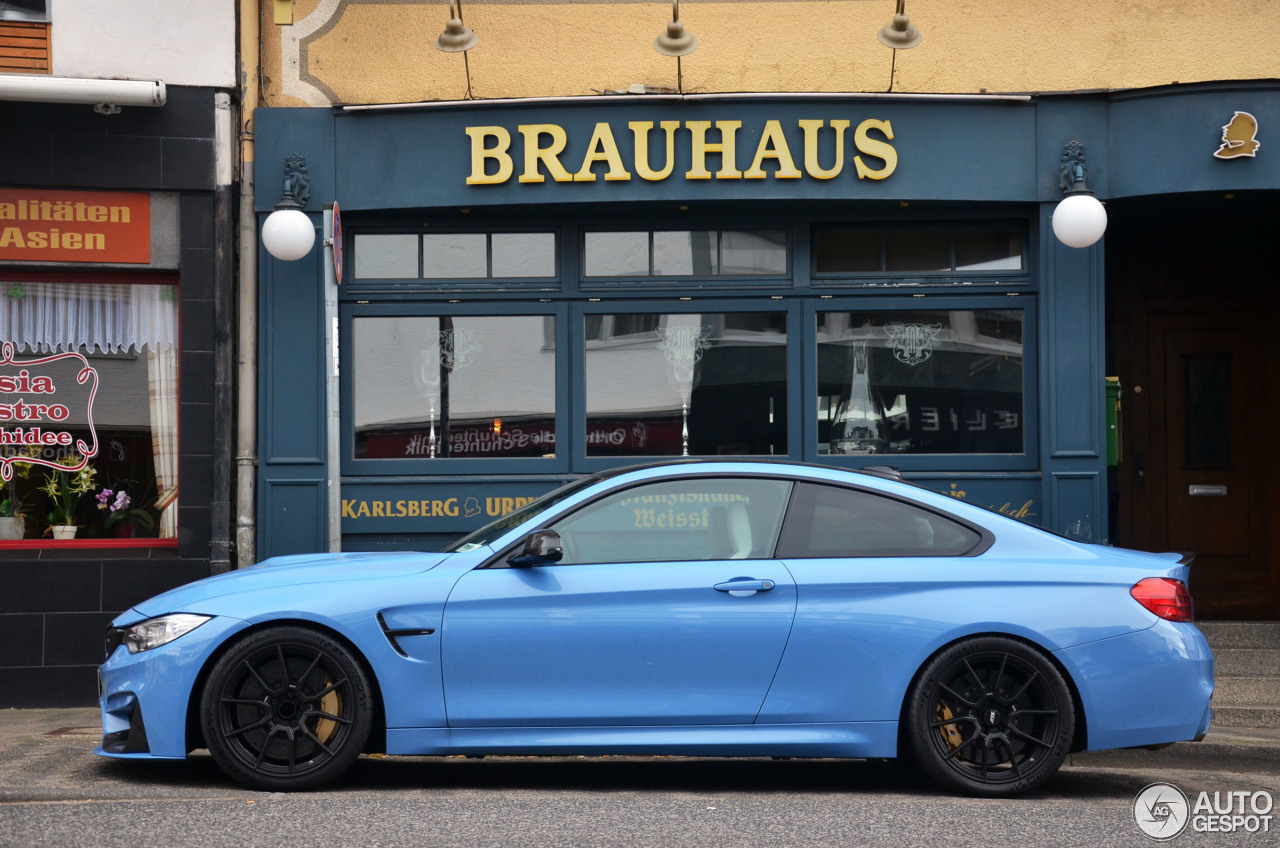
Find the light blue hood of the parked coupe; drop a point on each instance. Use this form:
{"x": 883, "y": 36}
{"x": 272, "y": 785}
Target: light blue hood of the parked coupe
{"x": 291, "y": 571}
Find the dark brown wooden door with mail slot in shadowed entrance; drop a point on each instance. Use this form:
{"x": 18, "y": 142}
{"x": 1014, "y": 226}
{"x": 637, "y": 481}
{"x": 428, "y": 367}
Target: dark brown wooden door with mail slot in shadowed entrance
{"x": 1200, "y": 458}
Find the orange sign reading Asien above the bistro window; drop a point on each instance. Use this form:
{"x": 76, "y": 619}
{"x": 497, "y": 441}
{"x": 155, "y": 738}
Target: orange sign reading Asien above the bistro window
{"x": 48, "y": 226}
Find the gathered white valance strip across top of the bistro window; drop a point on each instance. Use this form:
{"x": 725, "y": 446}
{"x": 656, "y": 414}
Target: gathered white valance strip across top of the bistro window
{"x": 111, "y": 318}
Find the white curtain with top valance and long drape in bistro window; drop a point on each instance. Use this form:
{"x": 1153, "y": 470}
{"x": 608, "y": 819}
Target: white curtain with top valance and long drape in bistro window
{"x": 111, "y": 318}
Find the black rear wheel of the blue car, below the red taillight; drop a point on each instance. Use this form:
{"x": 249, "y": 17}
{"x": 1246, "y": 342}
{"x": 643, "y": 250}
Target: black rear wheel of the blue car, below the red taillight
{"x": 990, "y": 717}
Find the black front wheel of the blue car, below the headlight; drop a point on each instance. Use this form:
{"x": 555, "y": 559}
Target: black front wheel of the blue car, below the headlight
{"x": 286, "y": 709}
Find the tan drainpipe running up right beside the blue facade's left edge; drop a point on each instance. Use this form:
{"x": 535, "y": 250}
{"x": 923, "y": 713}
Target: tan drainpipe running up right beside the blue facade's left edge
{"x": 246, "y": 377}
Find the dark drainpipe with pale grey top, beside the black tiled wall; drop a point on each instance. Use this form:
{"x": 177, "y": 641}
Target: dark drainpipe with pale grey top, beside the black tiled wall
{"x": 225, "y": 158}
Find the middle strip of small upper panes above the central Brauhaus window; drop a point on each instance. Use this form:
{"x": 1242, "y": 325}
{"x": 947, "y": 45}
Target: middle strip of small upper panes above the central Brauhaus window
{"x": 685, "y": 254}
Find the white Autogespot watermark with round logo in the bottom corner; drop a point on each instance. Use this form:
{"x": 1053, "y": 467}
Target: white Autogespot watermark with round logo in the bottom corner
{"x": 1163, "y": 811}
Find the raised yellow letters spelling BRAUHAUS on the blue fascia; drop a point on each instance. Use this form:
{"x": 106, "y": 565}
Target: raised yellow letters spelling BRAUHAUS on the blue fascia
{"x": 647, "y": 151}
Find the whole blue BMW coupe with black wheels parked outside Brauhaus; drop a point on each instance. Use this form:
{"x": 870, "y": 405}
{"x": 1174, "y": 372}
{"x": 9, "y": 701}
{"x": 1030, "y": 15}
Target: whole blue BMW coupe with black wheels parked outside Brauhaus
{"x": 701, "y": 609}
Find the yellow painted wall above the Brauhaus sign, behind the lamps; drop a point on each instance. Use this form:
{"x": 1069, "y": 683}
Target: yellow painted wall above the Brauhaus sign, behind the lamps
{"x": 369, "y": 52}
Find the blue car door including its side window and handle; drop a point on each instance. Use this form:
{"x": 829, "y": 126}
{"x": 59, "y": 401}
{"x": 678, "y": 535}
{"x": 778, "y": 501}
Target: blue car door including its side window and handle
{"x": 666, "y": 610}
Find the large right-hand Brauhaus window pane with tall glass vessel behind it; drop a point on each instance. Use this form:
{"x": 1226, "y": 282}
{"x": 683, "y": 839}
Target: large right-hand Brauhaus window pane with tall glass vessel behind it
{"x": 921, "y": 382}
